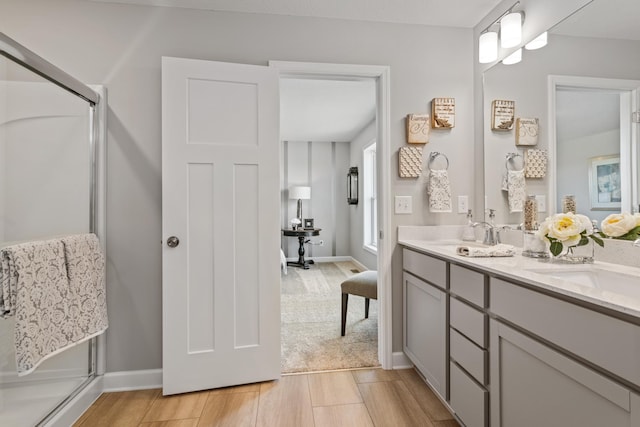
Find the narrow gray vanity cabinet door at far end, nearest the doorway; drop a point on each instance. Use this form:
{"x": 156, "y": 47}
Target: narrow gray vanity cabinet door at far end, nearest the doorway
{"x": 425, "y": 330}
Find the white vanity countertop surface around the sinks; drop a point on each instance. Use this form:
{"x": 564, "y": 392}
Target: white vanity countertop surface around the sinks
{"x": 518, "y": 268}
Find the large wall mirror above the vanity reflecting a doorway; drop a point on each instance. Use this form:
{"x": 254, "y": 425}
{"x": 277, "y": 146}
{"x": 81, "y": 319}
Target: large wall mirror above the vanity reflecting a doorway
{"x": 583, "y": 88}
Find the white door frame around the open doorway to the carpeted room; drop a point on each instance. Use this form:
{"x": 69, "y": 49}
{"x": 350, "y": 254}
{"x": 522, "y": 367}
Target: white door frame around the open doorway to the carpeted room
{"x": 381, "y": 74}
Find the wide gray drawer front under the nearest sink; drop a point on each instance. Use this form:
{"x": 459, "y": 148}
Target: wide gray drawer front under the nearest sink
{"x": 605, "y": 341}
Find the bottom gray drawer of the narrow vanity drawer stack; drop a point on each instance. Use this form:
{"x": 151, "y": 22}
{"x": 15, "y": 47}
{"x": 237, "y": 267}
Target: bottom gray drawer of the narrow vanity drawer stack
{"x": 468, "y": 400}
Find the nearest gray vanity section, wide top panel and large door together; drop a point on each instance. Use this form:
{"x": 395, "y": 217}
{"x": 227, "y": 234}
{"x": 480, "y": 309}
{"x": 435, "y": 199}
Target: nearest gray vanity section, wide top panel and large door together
{"x": 553, "y": 362}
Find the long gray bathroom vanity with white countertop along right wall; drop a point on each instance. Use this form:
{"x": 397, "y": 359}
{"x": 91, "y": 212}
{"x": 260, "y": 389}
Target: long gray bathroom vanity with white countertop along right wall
{"x": 521, "y": 342}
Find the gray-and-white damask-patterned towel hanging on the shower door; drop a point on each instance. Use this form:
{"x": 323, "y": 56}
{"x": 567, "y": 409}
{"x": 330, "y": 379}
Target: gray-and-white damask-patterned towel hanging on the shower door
{"x": 59, "y": 296}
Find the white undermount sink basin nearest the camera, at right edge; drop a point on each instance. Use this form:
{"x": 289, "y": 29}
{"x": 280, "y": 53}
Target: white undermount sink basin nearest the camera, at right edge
{"x": 596, "y": 278}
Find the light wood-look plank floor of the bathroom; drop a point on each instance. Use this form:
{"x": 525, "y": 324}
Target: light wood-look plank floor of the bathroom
{"x": 370, "y": 397}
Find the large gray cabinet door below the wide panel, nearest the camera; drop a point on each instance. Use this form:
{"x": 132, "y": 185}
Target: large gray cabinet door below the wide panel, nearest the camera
{"x": 533, "y": 385}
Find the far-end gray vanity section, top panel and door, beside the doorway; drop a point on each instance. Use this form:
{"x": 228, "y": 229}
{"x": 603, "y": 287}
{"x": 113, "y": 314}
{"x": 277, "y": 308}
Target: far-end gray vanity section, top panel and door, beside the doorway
{"x": 425, "y": 317}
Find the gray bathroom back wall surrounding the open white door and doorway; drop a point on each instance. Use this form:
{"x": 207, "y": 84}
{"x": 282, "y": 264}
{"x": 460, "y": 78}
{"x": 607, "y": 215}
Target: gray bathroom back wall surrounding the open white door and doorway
{"x": 120, "y": 46}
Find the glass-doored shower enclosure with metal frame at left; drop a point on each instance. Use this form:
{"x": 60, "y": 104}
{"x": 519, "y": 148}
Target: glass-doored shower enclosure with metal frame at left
{"x": 51, "y": 184}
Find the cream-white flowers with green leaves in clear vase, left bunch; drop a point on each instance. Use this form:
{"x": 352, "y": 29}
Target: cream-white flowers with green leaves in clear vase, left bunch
{"x": 566, "y": 231}
